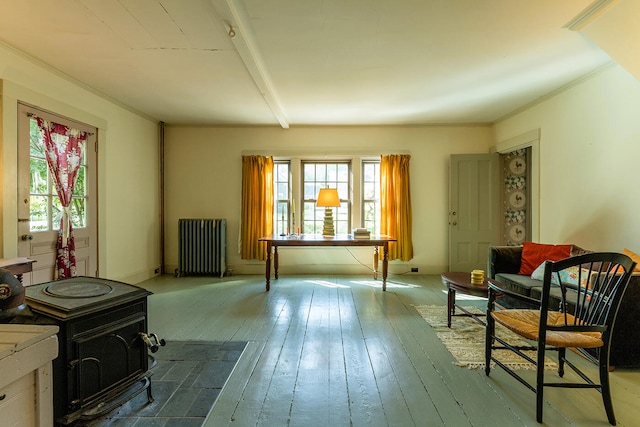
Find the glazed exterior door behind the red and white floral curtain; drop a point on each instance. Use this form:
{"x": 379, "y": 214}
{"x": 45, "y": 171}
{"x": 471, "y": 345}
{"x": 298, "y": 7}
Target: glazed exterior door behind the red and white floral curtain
{"x": 38, "y": 205}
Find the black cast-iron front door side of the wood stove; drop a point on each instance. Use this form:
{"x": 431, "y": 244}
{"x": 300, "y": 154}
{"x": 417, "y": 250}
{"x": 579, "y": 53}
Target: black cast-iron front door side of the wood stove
{"x": 107, "y": 361}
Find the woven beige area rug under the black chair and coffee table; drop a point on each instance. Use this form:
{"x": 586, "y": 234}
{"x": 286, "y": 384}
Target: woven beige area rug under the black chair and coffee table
{"x": 465, "y": 340}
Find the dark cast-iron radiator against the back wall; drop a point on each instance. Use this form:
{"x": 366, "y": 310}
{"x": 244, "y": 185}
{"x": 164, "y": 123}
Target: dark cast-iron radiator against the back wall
{"x": 202, "y": 247}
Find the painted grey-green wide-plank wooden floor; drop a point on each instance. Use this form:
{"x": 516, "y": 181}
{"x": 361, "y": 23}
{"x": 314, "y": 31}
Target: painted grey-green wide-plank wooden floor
{"x": 337, "y": 351}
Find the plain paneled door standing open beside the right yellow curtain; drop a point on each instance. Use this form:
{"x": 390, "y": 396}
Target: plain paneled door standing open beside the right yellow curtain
{"x": 473, "y": 210}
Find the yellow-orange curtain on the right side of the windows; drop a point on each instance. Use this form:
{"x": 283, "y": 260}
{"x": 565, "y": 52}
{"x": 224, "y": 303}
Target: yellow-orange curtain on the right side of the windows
{"x": 395, "y": 204}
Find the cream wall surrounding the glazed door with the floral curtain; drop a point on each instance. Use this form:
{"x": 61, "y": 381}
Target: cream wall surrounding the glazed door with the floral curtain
{"x": 128, "y": 177}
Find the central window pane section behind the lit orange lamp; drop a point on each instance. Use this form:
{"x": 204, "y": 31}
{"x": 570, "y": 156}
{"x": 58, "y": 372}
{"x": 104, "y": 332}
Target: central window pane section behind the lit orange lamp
{"x": 317, "y": 175}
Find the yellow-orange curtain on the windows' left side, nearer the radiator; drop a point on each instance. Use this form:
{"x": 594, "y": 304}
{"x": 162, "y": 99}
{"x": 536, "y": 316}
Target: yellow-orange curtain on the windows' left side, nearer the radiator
{"x": 257, "y": 205}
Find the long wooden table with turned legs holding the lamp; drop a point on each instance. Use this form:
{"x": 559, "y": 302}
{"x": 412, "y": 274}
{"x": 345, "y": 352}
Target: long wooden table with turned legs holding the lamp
{"x": 303, "y": 240}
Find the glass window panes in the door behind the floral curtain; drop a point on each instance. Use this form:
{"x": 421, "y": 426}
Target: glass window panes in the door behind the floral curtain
{"x": 45, "y": 206}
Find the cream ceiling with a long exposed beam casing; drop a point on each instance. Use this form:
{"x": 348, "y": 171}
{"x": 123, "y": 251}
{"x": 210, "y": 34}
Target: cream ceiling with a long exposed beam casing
{"x": 309, "y": 62}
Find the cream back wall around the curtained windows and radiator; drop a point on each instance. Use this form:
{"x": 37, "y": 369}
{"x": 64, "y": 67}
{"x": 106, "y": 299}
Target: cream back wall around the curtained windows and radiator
{"x": 203, "y": 180}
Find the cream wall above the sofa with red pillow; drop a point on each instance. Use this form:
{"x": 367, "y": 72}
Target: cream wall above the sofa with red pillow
{"x": 589, "y": 151}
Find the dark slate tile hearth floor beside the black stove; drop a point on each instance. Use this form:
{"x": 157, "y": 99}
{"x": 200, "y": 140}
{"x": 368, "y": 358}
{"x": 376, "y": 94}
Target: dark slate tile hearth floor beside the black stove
{"x": 185, "y": 383}
